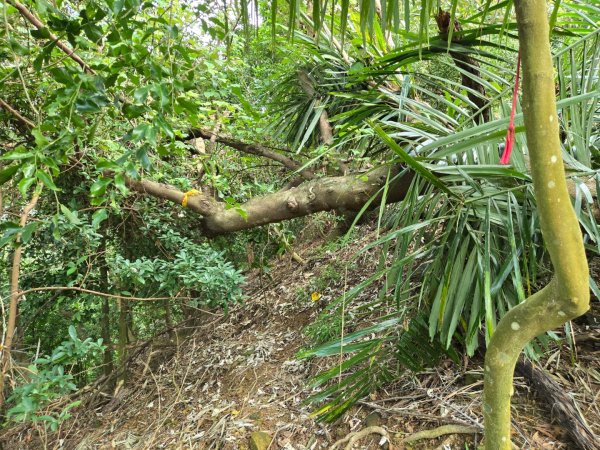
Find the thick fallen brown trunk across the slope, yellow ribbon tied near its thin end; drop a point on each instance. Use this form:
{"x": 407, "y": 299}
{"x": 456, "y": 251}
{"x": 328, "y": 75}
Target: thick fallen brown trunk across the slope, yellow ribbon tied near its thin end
{"x": 345, "y": 193}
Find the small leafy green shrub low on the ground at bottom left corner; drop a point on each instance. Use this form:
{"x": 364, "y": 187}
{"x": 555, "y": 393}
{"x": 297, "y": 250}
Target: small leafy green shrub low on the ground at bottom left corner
{"x": 49, "y": 378}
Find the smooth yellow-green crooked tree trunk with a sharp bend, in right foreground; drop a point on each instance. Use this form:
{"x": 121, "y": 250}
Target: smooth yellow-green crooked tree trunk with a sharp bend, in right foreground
{"x": 567, "y": 294}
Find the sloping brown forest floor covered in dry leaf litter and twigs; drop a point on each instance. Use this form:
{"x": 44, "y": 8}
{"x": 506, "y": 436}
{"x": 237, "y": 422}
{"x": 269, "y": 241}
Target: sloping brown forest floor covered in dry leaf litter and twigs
{"x": 235, "y": 374}
